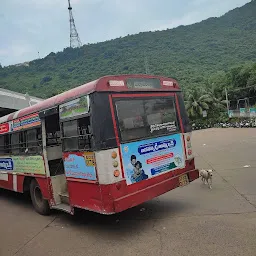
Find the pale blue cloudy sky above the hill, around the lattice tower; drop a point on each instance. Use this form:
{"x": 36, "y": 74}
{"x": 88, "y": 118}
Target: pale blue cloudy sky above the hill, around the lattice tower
{"x": 29, "y": 26}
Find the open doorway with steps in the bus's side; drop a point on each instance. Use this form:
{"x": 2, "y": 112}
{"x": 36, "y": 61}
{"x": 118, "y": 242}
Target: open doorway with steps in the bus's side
{"x": 53, "y": 156}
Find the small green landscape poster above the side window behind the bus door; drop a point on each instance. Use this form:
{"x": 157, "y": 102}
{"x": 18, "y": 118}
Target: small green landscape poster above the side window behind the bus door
{"x": 74, "y": 108}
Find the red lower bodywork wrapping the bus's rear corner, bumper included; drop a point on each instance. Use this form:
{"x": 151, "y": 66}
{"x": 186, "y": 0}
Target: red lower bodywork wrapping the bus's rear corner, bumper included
{"x": 118, "y": 196}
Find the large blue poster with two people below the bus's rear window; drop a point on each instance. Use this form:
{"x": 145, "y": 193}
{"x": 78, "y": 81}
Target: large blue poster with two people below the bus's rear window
{"x": 148, "y": 158}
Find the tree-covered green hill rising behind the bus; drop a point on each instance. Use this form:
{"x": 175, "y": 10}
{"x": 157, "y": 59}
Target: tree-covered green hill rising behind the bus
{"x": 190, "y": 54}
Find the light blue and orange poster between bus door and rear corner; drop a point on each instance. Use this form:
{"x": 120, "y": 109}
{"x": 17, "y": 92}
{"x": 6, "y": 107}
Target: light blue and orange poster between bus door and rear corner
{"x": 80, "y": 165}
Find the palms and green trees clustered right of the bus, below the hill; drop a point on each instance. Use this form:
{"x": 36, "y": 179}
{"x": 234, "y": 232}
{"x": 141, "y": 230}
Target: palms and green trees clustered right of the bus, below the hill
{"x": 240, "y": 83}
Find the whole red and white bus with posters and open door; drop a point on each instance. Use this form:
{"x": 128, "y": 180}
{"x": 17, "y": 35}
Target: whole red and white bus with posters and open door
{"x": 104, "y": 146}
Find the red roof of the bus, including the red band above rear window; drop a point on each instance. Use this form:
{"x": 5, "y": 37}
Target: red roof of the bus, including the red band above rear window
{"x": 100, "y": 85}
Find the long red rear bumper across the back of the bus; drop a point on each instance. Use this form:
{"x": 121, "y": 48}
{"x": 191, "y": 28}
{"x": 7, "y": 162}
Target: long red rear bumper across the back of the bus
{"x": 151, "y": 192}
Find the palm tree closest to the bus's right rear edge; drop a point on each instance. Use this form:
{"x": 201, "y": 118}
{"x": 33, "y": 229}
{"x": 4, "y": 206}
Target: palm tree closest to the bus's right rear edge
{"x": 197, "y": 102}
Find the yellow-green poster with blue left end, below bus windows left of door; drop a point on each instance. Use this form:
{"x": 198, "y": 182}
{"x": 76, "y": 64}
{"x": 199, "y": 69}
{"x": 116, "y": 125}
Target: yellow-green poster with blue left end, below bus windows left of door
{"x": 23, "y": 164}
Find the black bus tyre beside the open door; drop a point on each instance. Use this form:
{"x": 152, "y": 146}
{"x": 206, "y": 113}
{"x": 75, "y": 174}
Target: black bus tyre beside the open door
{"x": 40, "y": 204}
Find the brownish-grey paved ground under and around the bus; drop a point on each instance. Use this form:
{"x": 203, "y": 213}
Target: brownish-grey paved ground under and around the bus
{"x": 187, "y": 221}
